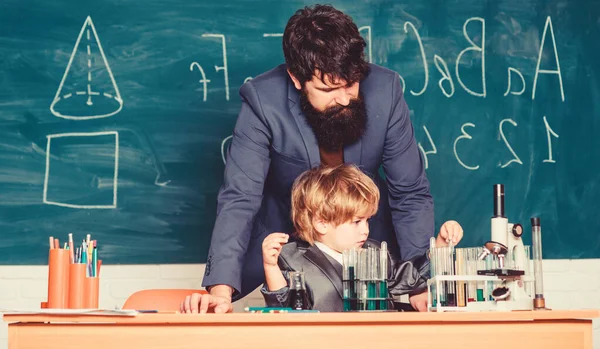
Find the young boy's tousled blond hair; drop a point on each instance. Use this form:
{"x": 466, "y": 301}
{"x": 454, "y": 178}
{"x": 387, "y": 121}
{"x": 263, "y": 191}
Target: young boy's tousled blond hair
{"x": 333, "y": 194}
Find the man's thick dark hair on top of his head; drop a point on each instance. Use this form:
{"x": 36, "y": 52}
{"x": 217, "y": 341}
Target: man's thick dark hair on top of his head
{"x": 323, "y": 38}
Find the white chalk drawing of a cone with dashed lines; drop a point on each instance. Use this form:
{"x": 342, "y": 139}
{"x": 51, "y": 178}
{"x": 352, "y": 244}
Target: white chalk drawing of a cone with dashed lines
{"x": 88, "y": 89}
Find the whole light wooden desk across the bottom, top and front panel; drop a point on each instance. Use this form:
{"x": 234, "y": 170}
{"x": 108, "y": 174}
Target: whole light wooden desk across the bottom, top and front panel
{"x": 532, "y": 329}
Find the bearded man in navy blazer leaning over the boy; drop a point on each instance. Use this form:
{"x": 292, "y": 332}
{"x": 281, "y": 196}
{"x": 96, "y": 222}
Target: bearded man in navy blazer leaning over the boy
{"x": 325, "y": 106}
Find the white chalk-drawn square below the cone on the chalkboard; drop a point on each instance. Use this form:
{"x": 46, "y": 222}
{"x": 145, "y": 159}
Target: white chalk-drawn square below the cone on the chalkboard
{"x": 82, "y": 169}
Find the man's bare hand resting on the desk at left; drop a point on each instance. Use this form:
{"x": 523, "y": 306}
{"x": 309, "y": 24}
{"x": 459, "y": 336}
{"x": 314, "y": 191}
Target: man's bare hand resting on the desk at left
{"x": 218, "y": 300}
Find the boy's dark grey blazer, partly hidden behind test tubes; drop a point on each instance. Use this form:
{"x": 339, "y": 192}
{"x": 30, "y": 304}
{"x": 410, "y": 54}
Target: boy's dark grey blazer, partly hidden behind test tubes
{"x": 323, "y": 276}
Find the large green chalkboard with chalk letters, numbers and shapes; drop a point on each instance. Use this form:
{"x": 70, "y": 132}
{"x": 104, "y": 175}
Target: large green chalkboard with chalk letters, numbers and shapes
{"x": 114, "y": 115}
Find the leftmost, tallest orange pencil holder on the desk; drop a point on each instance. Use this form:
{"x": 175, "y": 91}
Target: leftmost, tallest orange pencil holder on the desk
{"x": 58, "y": 278}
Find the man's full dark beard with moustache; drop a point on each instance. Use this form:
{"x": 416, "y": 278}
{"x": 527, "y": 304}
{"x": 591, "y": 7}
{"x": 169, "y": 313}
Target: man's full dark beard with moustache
{"x": 336, "y": 126}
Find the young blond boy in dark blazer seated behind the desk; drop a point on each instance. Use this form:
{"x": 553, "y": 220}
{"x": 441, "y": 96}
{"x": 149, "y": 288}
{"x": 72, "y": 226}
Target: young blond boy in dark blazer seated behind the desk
{"x": 330, "y": 212}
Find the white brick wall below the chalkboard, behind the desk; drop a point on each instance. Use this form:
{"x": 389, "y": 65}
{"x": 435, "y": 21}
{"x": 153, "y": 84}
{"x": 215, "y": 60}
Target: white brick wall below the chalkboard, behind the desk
{"x": 568, "y": 284}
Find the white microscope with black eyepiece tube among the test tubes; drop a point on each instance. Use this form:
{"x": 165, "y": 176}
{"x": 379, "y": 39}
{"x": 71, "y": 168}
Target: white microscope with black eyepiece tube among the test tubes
{"x": 513, "y": 271}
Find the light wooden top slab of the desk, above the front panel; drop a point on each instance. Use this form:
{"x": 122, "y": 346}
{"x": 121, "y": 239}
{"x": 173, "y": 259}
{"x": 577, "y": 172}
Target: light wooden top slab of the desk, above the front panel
{"x": 316, "y": 318}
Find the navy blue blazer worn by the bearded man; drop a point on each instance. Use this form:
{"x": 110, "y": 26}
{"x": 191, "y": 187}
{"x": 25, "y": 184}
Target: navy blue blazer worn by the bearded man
{"x": 273, "y": 143}
